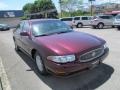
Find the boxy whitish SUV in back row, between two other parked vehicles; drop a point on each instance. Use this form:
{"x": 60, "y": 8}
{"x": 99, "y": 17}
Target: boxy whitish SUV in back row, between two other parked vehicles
{"x": 80, "y": 21}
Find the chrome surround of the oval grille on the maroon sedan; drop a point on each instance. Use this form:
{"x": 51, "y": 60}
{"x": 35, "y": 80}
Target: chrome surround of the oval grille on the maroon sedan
{"x": 93, "y": 57}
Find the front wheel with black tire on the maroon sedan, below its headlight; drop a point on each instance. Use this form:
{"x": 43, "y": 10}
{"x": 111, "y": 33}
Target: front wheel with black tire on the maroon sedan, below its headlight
{"x": 40, "y": 64}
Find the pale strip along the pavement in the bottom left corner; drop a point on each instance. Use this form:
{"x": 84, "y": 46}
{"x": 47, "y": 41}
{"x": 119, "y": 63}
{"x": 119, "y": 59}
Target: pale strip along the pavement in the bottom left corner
{"x": 5, "y": 85}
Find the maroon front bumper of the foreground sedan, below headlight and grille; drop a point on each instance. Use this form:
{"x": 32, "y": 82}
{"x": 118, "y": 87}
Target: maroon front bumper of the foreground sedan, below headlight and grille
{"x": 68, "y": 68}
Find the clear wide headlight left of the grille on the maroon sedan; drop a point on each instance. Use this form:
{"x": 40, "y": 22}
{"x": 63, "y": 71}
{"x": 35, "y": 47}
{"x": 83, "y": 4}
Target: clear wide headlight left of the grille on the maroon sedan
{"x": 62, "y": 59}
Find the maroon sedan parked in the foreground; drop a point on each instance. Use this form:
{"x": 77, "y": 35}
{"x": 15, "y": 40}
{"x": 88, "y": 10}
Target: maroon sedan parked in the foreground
{"x": 56, "y": 48}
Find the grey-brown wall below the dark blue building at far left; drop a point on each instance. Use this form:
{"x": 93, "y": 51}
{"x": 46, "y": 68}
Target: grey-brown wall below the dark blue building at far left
{"x": 10, "y": 21}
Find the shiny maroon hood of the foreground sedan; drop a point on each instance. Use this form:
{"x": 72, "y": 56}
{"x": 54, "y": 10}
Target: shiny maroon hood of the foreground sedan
{"x": 69, "y": 43}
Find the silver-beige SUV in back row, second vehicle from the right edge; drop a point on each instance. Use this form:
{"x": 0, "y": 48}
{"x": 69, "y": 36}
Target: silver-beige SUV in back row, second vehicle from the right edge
{"x": 102, "y": 20}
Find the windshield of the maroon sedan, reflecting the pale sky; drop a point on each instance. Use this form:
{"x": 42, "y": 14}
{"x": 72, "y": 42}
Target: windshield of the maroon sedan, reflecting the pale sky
{"x": 49, "y": 27}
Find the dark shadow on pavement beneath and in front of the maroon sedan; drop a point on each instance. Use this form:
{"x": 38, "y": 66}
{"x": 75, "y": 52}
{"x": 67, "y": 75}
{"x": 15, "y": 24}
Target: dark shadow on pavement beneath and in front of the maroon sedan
{"x": 84, "y": 80}
